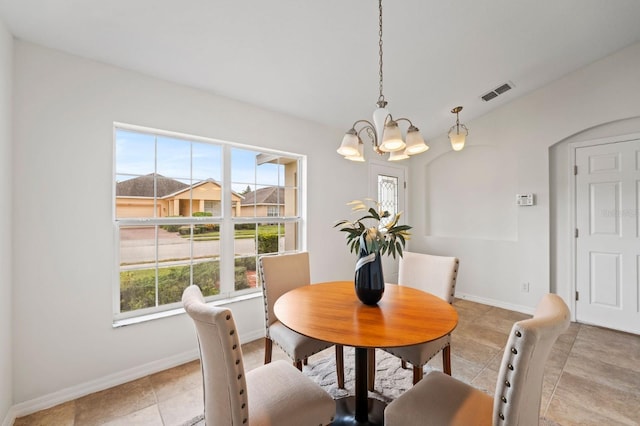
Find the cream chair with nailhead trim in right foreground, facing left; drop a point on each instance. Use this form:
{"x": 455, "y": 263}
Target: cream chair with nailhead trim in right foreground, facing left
{"x": 442, "y": 400}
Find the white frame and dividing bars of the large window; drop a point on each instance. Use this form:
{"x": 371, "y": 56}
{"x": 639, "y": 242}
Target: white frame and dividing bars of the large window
{"x": 226, "y": 222}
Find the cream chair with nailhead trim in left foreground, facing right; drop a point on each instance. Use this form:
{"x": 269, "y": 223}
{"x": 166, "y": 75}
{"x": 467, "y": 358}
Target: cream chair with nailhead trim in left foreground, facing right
{"x": 274, "y": 394}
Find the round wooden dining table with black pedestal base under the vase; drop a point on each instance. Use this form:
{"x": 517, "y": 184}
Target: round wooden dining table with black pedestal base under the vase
{"x": 332, "y": 312}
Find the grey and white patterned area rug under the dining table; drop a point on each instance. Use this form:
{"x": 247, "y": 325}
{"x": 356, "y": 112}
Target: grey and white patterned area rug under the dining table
{"x": 391, "y": 379}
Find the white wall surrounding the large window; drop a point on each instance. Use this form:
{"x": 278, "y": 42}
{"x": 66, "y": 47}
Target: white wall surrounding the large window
{"x": 65, "y": 255}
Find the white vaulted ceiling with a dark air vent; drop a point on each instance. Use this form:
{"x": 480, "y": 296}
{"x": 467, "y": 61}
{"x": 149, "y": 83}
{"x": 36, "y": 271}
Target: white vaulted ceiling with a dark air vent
{"x": 319, "y": 59}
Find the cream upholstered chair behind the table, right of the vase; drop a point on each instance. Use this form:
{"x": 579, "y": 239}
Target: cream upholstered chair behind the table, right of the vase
{"x": 436, "y": 275}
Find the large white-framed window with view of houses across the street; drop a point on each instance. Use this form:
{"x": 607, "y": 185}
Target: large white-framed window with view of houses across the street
{"x": 192, "y": 210}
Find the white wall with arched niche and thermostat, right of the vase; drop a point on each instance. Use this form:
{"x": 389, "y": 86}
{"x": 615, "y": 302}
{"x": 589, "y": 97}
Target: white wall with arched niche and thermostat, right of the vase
{"x": 463, "y": 203}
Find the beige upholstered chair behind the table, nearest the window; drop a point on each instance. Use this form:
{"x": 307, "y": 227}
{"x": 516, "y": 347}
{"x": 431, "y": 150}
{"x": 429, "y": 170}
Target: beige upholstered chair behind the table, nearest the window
{"x": 279, "y": 274}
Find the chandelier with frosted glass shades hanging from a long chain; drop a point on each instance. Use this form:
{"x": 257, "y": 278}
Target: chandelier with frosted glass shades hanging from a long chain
{"x": 384, "y": 132}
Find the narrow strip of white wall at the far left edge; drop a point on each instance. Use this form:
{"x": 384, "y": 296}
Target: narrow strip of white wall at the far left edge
{"x": 6, "y": 280}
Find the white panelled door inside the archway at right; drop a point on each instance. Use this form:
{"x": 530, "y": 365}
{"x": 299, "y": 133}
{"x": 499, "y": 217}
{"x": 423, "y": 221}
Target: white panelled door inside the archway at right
{"x": 607, "y": 245}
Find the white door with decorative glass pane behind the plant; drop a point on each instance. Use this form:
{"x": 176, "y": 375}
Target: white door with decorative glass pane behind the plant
{"x": 387, "y": 186}
